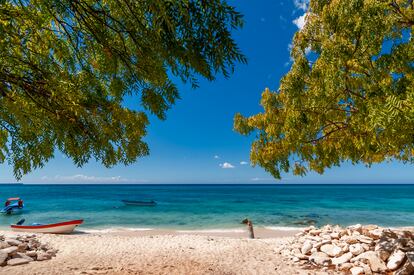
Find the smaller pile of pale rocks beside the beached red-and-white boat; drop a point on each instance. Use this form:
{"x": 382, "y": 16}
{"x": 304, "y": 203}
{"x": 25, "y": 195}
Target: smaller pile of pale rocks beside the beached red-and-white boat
{"x": 23, "y": 249}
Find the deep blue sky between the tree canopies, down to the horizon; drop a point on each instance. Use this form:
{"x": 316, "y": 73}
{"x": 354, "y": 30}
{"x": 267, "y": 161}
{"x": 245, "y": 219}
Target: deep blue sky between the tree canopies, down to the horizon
{"x": 196, "y": 144}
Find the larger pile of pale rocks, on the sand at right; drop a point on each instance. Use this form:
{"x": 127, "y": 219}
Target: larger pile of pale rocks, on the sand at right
{"x": 354, "y": 250}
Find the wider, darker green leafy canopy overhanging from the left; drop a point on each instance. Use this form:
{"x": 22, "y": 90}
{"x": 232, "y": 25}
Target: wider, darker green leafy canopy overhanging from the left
{"x": 67, "y": 65}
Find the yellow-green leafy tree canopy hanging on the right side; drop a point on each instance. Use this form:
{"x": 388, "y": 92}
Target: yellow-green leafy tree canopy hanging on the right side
{"x": 349, "y": 94}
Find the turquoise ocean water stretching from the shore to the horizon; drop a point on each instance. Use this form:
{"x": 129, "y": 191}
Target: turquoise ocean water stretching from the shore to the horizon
{"x": 209, "y": 207}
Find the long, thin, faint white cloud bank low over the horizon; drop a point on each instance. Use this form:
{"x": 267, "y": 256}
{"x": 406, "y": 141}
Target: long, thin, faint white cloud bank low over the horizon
{"x": 80, "y": 178}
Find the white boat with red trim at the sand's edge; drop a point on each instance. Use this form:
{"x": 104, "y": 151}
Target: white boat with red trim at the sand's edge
{"x": 54, "y": 228}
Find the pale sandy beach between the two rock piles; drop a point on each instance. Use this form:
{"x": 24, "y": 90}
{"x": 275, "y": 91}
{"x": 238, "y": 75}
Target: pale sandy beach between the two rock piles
{"x": 163, "y": 252}
